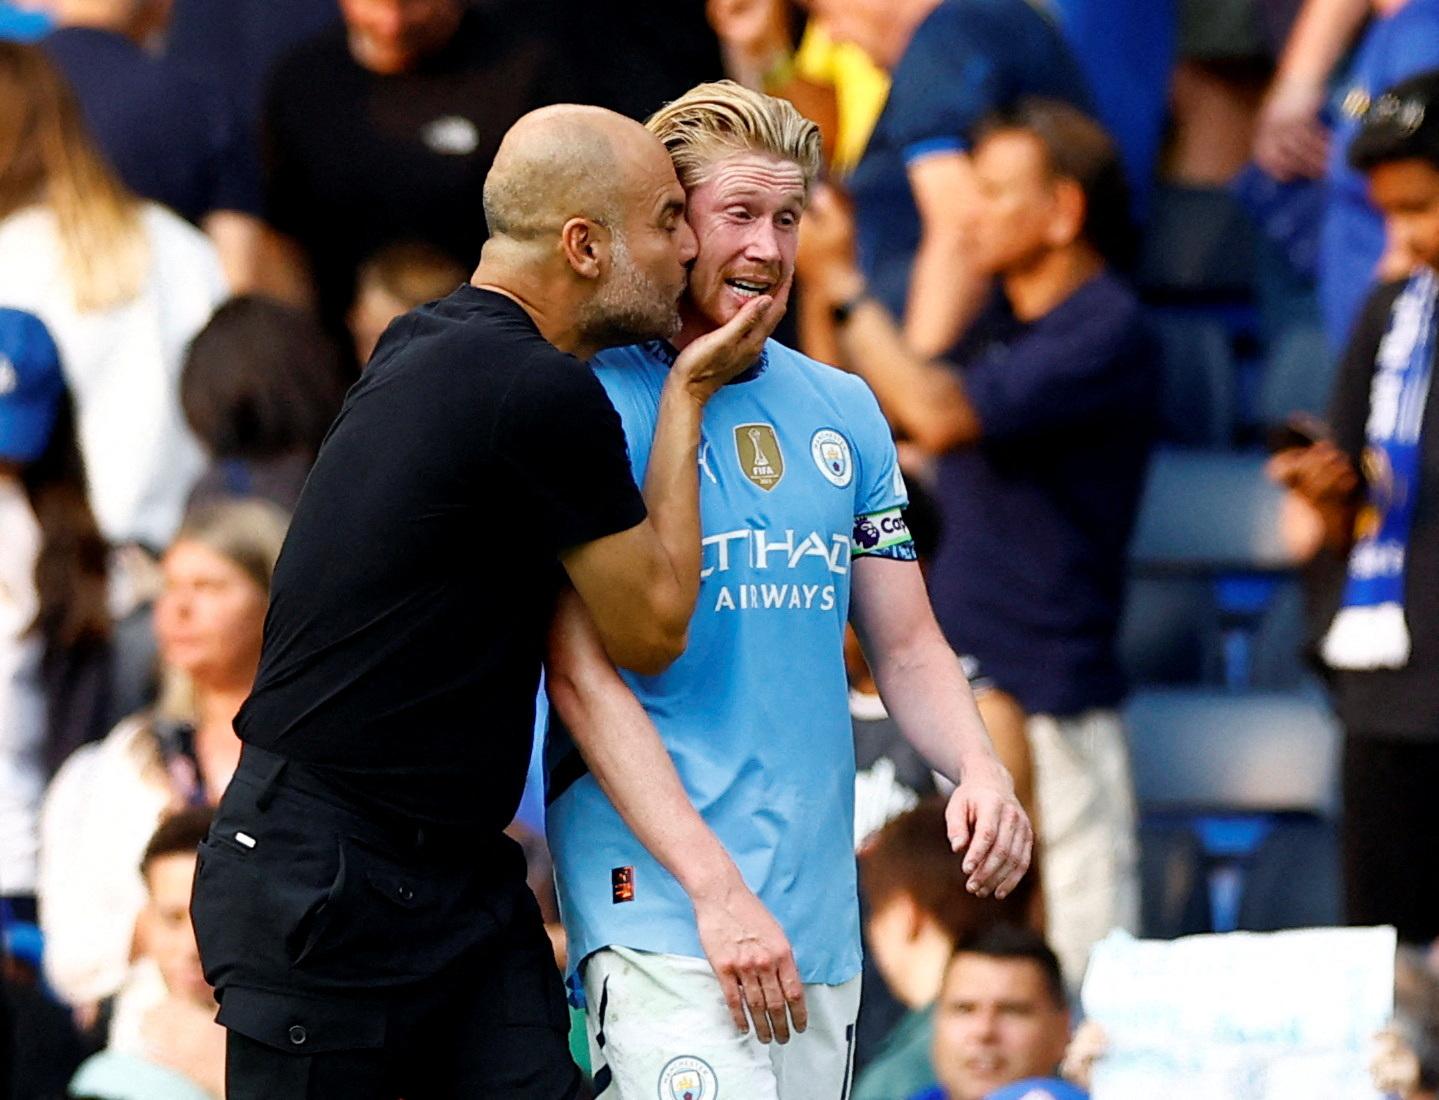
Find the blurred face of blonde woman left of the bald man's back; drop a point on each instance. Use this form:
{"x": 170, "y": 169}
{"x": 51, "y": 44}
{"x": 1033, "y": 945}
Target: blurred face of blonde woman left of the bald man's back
{"x": 211, "y": 617}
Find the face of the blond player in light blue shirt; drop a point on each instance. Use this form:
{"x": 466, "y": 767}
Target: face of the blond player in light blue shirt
{"x": 746, "y": 215}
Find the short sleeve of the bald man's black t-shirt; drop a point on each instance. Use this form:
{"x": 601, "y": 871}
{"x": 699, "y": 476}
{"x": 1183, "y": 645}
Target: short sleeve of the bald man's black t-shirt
{"x": 563, "y": 443}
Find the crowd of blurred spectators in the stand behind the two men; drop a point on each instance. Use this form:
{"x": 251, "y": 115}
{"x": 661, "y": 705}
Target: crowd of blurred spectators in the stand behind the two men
{"x": 212, "y": 209}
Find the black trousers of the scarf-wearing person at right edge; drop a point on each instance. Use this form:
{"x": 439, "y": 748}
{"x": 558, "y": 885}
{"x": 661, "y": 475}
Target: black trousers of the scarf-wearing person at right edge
{"x": 1391, "y": 836}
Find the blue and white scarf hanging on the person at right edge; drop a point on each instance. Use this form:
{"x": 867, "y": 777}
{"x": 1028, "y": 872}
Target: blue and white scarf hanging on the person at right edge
{"x": 1371, "y": 631}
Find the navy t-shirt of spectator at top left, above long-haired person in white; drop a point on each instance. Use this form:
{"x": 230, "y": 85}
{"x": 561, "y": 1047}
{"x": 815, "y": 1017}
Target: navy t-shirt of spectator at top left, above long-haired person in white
{"x": 172, "y": 135}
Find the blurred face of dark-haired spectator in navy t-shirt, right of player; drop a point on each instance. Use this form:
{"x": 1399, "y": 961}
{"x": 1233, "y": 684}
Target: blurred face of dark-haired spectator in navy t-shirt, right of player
{"x": 1015, "y": 202}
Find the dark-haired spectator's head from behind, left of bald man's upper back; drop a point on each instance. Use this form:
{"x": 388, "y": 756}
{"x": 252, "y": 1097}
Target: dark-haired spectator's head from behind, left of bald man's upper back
{"x": 261, "y": 385}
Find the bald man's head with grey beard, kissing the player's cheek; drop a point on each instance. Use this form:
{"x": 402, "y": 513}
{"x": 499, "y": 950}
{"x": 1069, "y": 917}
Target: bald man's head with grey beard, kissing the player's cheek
{"x": 592, "y": 198}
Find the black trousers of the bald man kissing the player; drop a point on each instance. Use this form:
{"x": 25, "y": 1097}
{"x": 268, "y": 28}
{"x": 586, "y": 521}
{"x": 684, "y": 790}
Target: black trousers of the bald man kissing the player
{"x": 366, "y": 960}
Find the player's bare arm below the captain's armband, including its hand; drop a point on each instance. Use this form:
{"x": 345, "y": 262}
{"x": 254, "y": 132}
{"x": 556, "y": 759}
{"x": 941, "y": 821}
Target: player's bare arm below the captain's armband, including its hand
{"x": 927, "y": 695}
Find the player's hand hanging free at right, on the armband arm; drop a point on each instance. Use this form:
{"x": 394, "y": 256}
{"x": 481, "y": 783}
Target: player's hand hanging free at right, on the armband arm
{"x": 988, "y": 824}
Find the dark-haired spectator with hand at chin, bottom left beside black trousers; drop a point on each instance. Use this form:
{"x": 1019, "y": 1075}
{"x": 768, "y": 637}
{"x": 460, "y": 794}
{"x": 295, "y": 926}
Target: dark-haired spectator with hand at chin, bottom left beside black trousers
{"x": 163, "y": 1042}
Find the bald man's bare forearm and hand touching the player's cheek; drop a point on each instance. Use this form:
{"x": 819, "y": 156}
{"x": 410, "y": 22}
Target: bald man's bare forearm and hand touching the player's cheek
{"x": 641, "y": 585}
